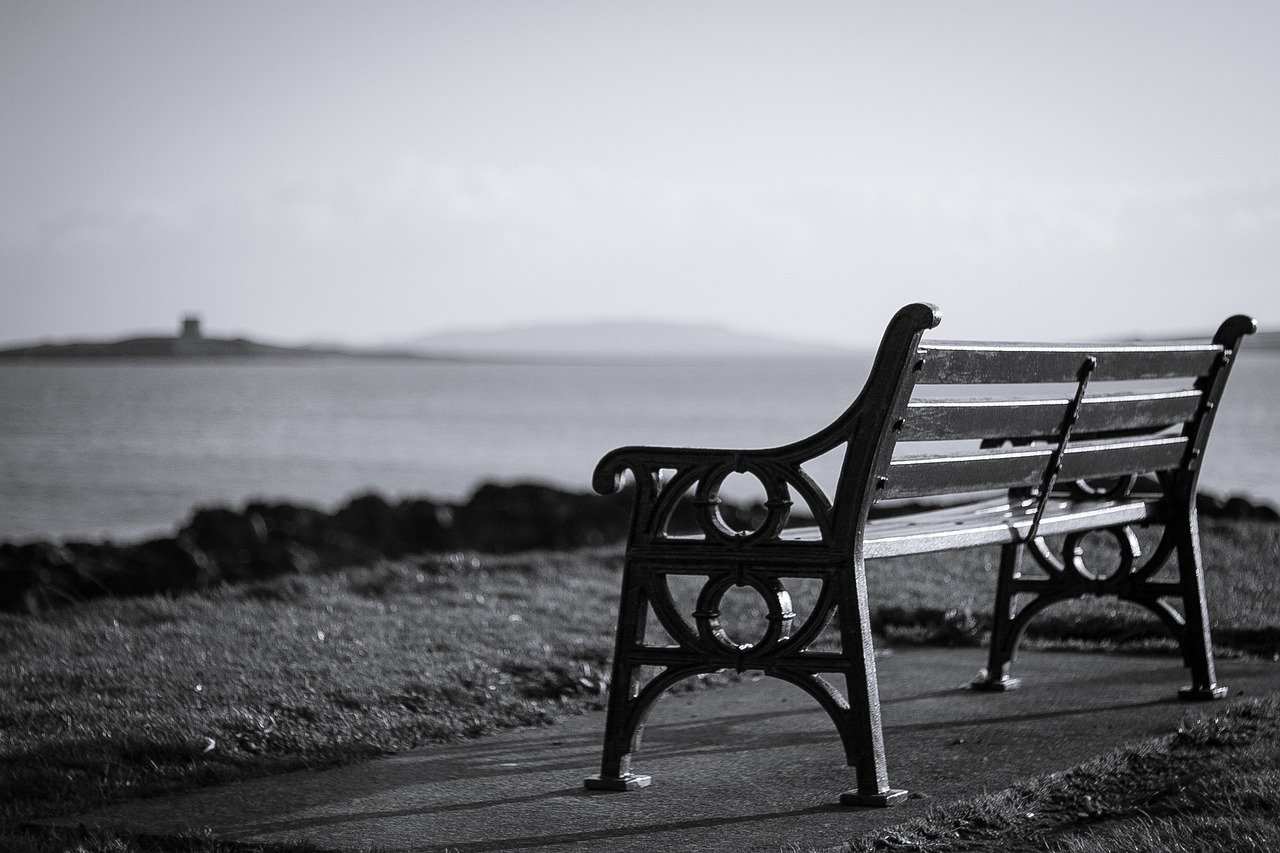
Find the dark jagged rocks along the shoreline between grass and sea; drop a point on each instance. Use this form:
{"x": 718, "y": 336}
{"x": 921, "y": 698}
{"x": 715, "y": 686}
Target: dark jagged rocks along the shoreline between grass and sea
{"x": 220, "y": 546}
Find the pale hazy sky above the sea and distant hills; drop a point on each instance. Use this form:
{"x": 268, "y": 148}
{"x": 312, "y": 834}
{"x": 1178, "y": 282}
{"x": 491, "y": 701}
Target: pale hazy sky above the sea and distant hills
{"x": 369, "y": 172}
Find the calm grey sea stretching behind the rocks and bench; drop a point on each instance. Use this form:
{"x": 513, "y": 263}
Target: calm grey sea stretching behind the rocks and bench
{"x": 125, "y": 450}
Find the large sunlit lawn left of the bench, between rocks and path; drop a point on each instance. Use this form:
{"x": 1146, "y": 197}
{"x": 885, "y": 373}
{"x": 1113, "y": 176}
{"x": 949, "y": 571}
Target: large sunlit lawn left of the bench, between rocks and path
{"x": 126, "y": 699}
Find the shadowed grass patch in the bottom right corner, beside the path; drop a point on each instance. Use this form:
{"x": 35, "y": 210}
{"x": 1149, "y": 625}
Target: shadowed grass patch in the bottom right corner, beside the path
{"x": 1214, "y": 787}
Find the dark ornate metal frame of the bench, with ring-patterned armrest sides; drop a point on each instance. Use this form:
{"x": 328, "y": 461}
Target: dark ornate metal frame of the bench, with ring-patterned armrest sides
{"x": 761, "y": 558}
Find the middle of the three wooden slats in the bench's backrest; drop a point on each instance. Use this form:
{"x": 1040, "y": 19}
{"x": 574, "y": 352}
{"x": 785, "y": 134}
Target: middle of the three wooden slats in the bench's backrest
{"x": 973, "y": 418}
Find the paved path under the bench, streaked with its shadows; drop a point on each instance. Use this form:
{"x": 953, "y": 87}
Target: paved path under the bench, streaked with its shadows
{"x": 749, "y": 768}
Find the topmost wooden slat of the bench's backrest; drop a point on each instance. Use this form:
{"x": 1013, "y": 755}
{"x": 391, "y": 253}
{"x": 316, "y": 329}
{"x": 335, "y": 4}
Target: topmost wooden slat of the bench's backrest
{"x": 963, "y": 363}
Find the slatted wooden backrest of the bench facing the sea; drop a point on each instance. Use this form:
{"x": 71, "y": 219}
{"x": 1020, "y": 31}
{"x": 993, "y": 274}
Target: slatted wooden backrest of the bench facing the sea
{"x": 968, "y": 417}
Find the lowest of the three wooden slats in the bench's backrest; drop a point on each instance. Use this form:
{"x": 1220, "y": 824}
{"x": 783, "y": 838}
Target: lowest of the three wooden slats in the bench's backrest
{"x": 1000, "y": 469}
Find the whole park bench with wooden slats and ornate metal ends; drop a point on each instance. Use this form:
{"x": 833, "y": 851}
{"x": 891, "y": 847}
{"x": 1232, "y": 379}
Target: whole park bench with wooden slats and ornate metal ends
{"x": 1025, "y": 448}
